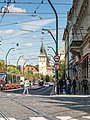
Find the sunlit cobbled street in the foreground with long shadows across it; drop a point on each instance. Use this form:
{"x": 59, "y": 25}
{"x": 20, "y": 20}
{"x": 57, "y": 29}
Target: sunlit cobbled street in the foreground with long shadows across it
{"x": 39, "y": 107}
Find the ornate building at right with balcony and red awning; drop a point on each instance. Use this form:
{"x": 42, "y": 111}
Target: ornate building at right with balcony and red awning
{"x": 77, "y": 40}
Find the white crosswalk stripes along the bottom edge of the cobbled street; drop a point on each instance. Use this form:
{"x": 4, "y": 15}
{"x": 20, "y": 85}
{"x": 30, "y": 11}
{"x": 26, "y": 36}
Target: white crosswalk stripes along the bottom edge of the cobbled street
{"x": 57, "y": 117}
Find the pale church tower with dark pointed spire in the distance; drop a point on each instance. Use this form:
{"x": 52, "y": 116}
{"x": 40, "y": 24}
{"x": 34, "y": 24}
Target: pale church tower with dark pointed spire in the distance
{"x": 42, "y": 60}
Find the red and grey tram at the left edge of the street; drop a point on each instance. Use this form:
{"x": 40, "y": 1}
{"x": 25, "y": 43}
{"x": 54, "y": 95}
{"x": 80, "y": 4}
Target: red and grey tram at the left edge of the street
{"x": 9, "y": 81}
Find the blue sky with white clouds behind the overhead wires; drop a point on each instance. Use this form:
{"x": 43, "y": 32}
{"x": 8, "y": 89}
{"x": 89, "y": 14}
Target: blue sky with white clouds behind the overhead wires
{"x": 22, "y": 24}
